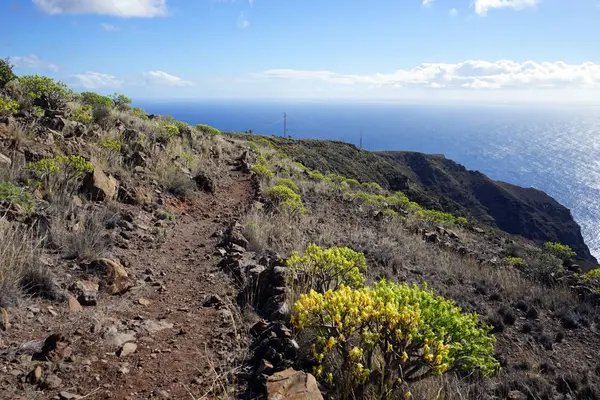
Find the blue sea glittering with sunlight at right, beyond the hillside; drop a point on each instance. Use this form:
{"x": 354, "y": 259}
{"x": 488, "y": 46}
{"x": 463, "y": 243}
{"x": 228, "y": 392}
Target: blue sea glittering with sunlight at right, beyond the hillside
{"x": 555, "y": 149}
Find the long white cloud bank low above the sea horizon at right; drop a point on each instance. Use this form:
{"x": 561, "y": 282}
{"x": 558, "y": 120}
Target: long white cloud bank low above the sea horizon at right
{"x": 473, "y": 74}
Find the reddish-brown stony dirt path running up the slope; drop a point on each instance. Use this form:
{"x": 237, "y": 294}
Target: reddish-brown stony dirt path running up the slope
{"x": 183, "y": 334}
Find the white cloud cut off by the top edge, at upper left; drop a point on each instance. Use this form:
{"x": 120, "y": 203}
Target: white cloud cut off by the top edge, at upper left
{"x": 117, "y": 8}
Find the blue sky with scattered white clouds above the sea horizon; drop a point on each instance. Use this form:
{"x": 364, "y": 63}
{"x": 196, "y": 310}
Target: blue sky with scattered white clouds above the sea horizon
{"x": 379, "y": 50}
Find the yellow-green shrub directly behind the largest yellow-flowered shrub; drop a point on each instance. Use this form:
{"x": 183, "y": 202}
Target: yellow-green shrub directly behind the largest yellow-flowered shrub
{"x": 327, "y": 269}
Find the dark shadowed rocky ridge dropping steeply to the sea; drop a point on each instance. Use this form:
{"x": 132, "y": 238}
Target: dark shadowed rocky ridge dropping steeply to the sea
{"x": 440, "y": 183}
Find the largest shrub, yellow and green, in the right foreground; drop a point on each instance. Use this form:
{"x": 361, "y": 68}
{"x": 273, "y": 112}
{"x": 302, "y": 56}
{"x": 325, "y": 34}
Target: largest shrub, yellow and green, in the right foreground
{"x": 377, "y": 340}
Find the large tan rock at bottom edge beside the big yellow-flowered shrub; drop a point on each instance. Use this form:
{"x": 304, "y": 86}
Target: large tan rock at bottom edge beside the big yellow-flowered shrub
{"x": 293, "y": 385}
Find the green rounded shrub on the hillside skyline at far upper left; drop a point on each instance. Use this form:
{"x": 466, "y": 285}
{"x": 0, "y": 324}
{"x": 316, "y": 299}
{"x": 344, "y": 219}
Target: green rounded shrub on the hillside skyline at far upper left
{"x": 54, "y": 94}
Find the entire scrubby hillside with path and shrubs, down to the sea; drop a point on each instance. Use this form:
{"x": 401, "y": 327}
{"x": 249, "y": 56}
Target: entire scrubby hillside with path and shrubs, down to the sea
{"x": 141, "y": 257}
